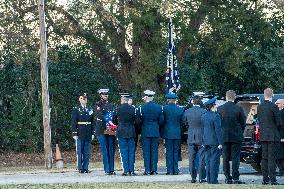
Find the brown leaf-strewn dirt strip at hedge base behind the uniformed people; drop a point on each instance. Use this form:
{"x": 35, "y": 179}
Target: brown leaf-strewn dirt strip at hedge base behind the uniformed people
{"x": 36, "y": 159}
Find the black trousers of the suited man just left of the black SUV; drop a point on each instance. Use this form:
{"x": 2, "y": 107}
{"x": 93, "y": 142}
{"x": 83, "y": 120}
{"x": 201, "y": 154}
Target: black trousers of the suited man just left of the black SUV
{"x": 231, "y": 152}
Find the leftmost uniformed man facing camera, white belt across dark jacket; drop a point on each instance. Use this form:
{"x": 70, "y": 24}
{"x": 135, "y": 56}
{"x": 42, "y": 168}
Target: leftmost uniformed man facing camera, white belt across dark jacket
{"x": 83, "y": 132}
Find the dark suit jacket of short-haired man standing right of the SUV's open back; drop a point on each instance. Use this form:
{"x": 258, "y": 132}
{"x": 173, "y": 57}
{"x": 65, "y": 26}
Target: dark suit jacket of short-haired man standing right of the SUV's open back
{"x": 268, "y": 116}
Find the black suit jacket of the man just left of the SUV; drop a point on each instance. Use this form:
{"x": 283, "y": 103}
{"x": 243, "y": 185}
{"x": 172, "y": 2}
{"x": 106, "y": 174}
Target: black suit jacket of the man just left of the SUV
{"x": 233, "y": 122}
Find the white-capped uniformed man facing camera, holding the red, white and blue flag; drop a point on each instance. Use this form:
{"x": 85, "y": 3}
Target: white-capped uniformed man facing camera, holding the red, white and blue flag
{"x": 107, "y": 142}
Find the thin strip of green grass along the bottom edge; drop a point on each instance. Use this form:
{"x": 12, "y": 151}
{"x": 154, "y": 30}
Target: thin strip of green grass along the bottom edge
{"x": 136, "y": 186}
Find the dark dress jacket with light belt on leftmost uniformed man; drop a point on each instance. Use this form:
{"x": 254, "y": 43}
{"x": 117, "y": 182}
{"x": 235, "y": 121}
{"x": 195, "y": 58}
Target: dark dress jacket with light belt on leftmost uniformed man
{"x": 82, "y": 122}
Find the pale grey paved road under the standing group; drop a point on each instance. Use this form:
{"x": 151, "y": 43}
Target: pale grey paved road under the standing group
{"x": 96, "y": 176}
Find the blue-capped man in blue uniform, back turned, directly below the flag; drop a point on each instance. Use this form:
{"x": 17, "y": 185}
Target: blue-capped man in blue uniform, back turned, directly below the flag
{"x": 171, "y": 132}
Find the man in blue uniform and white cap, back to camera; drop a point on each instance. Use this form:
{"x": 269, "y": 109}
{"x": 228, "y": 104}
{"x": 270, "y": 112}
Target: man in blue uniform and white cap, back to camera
{"x": 152, "y": 117}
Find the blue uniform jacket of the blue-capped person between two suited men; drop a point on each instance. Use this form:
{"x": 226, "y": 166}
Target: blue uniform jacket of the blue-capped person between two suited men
{"x": 212, "y": 130}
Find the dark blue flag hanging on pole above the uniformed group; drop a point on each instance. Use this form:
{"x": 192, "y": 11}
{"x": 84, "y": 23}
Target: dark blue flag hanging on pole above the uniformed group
{"x": 172, "y": 76}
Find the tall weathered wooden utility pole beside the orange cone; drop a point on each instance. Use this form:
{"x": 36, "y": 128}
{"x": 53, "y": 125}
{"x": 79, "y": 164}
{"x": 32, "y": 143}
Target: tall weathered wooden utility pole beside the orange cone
{"x": 44, "y": 86}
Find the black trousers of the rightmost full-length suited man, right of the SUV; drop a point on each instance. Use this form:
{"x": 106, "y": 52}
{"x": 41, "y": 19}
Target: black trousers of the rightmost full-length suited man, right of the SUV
{"x": 268, "y": 161}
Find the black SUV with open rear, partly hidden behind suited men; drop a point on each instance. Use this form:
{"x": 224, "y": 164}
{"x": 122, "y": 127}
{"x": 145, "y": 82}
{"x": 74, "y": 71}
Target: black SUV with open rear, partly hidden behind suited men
{"x": 251, "y": 147}
